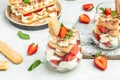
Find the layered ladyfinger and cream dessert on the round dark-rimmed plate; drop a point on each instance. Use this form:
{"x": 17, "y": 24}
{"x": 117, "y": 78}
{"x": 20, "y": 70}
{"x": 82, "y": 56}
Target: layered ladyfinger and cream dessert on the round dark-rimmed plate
{"x": 31, "y": 11}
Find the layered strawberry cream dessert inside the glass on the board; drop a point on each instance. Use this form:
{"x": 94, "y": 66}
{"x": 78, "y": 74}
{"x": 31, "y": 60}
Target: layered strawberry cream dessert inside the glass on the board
{"x": 107, "y": 29}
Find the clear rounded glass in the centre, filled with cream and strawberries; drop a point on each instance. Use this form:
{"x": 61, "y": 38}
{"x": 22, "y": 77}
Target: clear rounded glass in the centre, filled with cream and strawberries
{"x": 63, "y": 58}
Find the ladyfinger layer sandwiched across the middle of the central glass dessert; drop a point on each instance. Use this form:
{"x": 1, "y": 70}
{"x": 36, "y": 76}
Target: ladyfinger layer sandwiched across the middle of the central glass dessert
{"x": 64, "y": 49}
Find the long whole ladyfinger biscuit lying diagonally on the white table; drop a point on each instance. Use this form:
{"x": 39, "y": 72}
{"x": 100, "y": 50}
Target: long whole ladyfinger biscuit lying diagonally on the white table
{"x": 10, "y": 53}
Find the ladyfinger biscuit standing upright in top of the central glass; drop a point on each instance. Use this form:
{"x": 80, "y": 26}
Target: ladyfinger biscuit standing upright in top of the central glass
{"x": 54, "y": 26}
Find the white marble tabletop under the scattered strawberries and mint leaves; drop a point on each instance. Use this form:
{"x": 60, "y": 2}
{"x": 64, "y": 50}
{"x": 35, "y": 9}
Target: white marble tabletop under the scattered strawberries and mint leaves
{"x": 86, "y": 69}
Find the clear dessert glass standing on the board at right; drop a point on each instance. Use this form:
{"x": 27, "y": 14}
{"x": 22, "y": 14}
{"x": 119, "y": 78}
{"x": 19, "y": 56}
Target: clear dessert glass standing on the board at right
{"x": 106, "y": 31}
